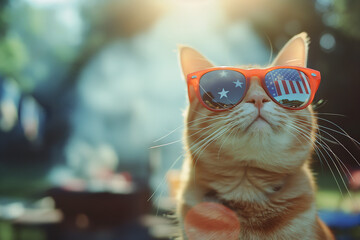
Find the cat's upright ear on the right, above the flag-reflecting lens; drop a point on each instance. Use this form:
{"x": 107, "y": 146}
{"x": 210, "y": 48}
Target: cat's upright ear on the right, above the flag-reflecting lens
{"x": 294, "y": 53}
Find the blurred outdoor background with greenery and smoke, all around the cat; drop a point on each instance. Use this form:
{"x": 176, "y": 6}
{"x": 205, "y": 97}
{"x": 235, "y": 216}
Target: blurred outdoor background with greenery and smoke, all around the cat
{"x": 89, "y": 88}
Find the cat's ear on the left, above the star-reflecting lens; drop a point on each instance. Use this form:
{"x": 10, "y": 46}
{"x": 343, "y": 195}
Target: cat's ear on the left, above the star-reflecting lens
{"x": 192, "y": 61}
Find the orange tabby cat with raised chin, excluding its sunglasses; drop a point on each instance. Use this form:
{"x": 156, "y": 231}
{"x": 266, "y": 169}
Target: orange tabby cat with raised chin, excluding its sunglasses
{"x": 251, "y": 162}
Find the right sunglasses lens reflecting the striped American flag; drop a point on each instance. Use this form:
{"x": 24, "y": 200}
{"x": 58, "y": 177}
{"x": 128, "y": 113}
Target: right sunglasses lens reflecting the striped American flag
{"x": 289, "y": 87}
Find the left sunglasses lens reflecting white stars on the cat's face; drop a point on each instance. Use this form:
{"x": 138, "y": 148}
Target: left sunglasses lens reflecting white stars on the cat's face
{"x": 222, "y": 89}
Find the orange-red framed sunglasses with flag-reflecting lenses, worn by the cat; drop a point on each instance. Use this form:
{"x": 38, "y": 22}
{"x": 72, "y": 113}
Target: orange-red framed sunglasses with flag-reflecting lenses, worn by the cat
{"x": 222, "y": 88}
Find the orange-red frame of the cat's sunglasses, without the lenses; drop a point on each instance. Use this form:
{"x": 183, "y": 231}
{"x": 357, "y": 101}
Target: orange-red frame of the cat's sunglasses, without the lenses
{"x": 193, "y": 80}
